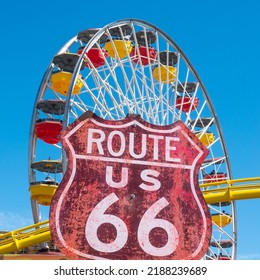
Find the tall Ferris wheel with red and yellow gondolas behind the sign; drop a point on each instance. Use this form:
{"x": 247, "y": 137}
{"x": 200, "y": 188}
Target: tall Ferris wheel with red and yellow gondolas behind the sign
{"x": 127, "y": 67}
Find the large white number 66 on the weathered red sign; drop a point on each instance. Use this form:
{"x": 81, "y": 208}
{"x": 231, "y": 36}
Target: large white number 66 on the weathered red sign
{"x": 148, "y": 222}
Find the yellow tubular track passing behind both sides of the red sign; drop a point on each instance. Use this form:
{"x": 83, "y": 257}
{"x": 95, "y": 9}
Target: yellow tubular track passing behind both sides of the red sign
{"x": 216, "y": 192}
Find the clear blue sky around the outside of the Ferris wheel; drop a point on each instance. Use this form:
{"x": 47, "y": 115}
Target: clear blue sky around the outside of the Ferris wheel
{"x": 220, "y": 37}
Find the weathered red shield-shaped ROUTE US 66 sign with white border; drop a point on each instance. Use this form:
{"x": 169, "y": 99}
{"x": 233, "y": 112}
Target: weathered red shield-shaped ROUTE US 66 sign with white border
{"x": 130, "y": 192}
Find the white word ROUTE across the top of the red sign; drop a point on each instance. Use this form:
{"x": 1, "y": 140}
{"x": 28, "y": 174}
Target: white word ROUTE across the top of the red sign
{"x": 117, "y": 144}
